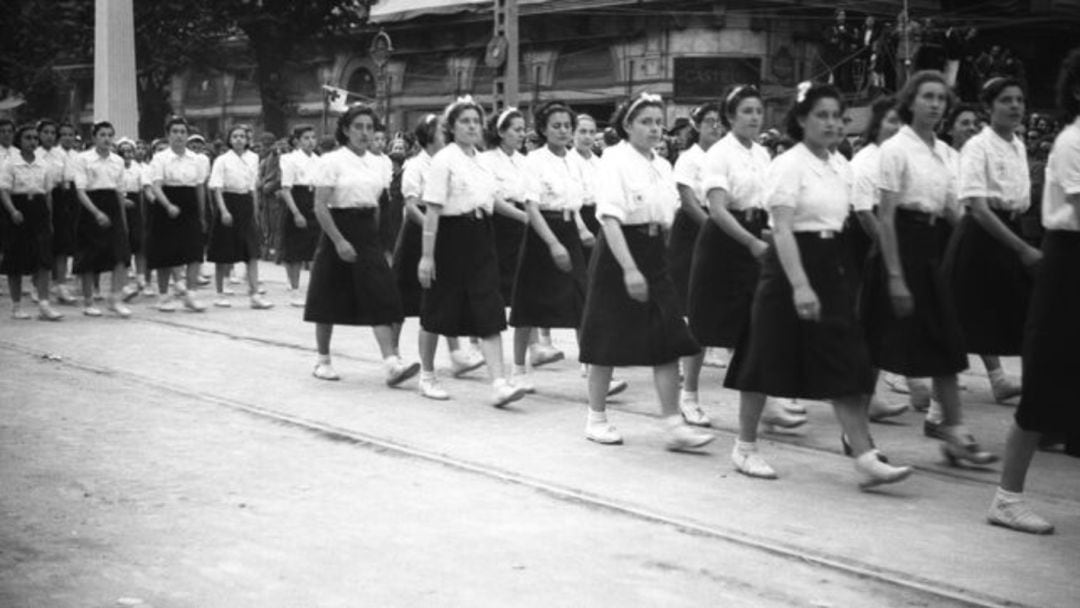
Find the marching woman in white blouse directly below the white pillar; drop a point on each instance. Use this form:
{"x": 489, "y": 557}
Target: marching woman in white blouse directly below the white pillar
{"x": 102, "y": 227}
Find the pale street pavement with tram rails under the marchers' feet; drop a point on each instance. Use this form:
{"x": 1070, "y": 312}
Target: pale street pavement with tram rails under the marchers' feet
{"x": 192, "y": 461}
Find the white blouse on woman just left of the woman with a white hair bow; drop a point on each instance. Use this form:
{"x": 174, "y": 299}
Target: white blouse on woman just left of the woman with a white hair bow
{"x": 739, "y": 171}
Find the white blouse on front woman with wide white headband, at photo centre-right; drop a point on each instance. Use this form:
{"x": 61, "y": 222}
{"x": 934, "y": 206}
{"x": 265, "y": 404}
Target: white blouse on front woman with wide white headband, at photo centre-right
{"x": 634, "y": 190}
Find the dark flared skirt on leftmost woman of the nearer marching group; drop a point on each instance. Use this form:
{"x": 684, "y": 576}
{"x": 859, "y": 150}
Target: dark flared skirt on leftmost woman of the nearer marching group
{"x": 359, "y": 293}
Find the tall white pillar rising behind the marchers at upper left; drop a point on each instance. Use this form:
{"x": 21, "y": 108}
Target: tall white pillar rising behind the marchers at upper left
{"x": 115, "y": 94}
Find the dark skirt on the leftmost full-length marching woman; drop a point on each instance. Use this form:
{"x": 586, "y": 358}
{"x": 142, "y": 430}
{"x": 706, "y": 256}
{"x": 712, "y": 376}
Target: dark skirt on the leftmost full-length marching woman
{"x": 29, "y": 247}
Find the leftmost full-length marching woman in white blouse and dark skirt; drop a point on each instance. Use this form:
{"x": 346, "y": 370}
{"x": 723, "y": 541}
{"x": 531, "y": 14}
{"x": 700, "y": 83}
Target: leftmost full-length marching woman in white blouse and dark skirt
{"x": 25, "y": 193}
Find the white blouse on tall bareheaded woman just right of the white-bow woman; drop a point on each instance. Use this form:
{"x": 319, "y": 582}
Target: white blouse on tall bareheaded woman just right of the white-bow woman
{"x": 924, "y": 177}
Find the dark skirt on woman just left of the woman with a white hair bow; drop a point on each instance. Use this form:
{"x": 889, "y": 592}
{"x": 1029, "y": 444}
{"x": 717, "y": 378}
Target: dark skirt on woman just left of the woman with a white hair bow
{"x": 723, "y": 279}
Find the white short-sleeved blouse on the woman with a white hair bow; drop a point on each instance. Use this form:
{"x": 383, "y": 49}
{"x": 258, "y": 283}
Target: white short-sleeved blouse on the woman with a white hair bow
{"x": 818, "y": 191}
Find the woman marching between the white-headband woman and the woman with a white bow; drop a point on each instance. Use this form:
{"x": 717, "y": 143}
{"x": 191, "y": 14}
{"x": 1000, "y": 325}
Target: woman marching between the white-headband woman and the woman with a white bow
{"x": 726, "y": 259}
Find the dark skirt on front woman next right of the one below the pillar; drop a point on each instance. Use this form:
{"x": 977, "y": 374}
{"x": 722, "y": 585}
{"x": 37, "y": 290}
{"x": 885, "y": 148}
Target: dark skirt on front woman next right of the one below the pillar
{"x": 177, "y": 241}
